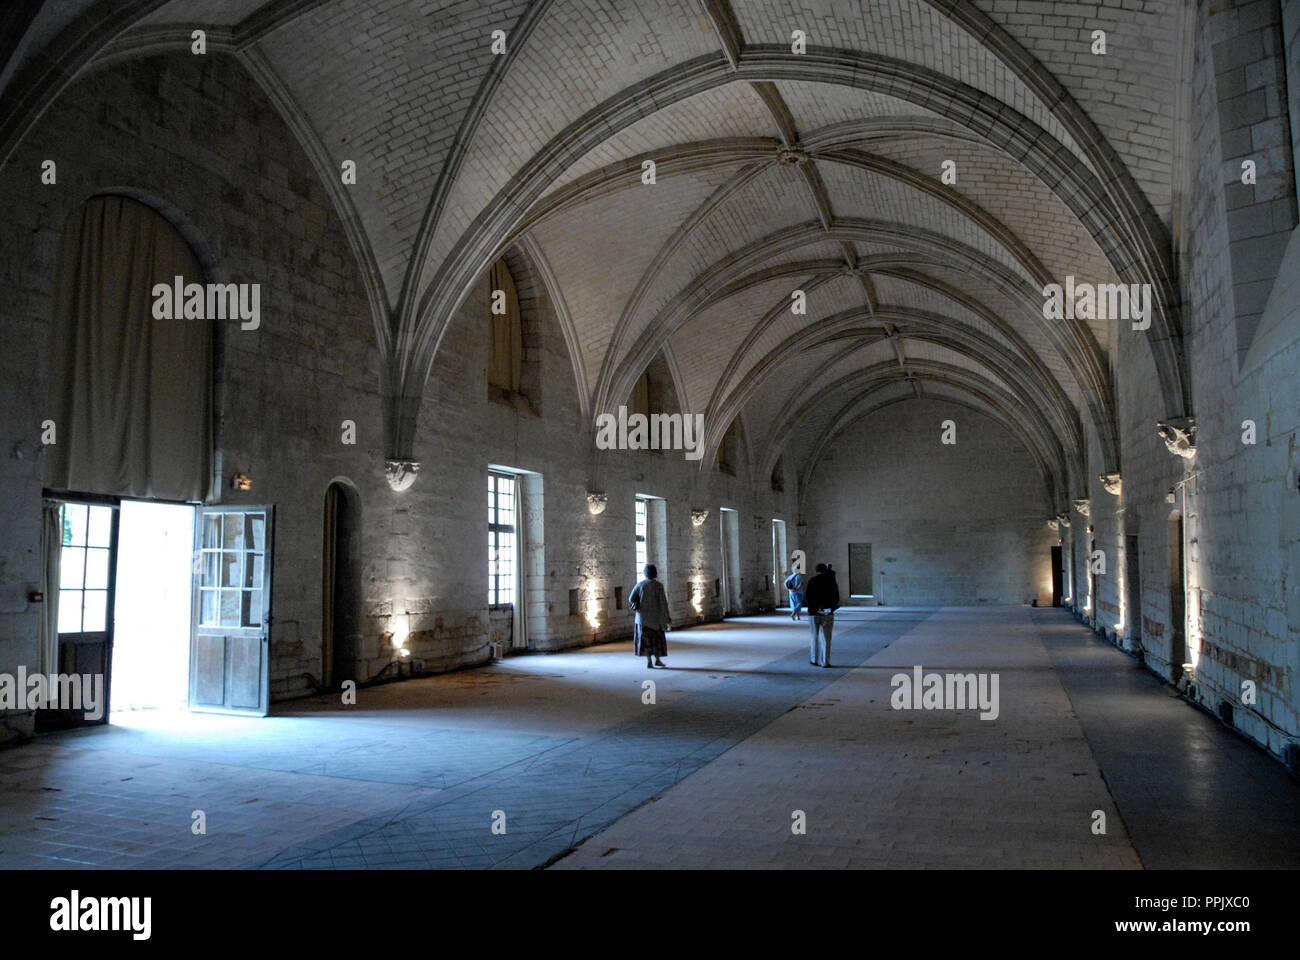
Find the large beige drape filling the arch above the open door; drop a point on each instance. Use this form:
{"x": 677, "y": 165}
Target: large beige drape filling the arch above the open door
{"x": 131, "y": 395}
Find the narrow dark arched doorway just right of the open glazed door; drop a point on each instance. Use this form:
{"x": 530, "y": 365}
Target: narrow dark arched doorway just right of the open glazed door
{"x": 341, "y": 586}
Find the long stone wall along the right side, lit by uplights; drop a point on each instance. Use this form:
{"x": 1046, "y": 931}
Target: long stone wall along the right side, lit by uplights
{"x": 1238, "y": 500}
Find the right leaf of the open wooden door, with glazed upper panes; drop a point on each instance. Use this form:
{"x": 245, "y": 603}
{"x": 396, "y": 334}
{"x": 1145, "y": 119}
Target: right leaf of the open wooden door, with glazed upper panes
{"x": 231, "y": 639}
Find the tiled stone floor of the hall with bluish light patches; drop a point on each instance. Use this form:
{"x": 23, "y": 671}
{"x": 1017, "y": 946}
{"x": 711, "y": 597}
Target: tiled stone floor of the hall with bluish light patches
{"x": 743, "y": 738}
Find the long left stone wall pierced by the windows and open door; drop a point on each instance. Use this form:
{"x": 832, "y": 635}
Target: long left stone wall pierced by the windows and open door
{"x": 232, "y": 179}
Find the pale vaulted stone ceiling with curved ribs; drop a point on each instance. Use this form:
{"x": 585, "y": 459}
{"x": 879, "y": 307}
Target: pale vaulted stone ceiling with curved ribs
{"x": 775, "y": 171}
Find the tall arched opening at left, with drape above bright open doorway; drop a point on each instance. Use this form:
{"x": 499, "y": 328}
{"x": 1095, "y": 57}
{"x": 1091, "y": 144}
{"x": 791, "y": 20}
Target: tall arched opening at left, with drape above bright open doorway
{"x": 131, "y": 401}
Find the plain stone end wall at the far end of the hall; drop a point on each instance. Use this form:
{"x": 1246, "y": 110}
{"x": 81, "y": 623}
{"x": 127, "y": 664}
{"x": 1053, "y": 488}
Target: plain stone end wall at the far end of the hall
{"x": 948, "y": 525}
